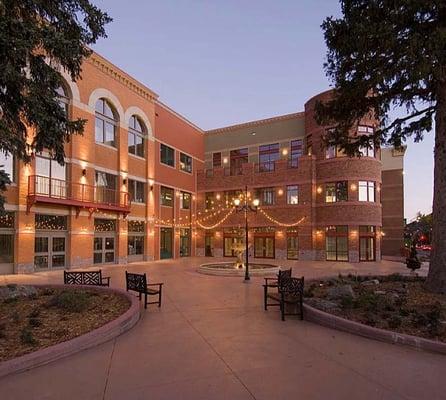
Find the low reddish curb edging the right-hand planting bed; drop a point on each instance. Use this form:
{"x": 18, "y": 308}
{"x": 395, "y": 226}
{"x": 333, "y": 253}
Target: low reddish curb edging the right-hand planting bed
{"x": 332, "y": 321}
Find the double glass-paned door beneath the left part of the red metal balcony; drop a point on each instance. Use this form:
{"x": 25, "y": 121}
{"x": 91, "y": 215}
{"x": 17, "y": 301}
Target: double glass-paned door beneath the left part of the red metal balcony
{"x": 49, "y": 251}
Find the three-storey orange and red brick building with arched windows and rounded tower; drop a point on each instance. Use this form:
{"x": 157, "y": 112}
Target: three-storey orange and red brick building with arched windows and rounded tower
{"x": 143, "y": 181}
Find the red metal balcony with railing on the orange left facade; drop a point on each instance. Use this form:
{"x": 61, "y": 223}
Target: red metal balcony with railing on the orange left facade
{"x": 42, "y": 189}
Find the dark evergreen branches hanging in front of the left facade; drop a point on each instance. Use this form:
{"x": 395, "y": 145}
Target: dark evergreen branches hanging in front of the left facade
{"x": 39, "y": 38}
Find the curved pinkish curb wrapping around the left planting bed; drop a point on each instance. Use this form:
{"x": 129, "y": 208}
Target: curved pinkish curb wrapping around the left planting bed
{"x": 98, "y": 336}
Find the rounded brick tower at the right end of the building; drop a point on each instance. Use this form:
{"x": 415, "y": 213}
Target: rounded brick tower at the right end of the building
{"x": 347, "y": 215}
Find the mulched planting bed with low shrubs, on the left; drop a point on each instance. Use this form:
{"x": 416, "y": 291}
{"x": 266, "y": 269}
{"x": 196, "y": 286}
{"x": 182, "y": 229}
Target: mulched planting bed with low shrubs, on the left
{"x": 35, "y": 318}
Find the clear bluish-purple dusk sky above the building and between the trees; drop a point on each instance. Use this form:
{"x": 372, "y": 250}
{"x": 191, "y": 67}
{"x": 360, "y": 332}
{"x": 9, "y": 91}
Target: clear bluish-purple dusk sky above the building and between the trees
{"x": 225, "y": 62}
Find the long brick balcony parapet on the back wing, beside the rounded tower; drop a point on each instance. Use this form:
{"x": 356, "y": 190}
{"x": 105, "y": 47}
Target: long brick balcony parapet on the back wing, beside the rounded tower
{"x": 256, "y": 174}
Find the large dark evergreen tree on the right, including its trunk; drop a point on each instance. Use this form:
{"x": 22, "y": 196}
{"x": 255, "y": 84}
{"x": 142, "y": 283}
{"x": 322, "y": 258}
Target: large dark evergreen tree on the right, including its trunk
{"x": 387, "y": 54}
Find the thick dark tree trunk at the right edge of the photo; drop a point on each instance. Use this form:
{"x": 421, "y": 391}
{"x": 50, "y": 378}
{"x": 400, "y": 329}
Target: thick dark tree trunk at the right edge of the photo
{"x": 436, "y": 279}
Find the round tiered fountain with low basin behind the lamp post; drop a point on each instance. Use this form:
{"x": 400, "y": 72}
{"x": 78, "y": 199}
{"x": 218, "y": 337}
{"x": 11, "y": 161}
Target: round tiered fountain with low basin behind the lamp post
{"x": 237, "y": 268}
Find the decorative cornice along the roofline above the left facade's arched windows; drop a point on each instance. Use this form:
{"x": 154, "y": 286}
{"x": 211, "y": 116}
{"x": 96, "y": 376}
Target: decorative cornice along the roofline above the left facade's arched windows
{"x": 117, "y": 74}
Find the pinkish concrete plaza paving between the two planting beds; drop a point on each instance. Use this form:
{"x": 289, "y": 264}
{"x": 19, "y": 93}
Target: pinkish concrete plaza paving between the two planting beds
{"x": 212, "y": 340}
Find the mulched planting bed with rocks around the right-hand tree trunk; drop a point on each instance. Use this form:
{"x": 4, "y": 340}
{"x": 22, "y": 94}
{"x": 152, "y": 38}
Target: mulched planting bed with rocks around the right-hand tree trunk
{"x": 396, "y": 303}
